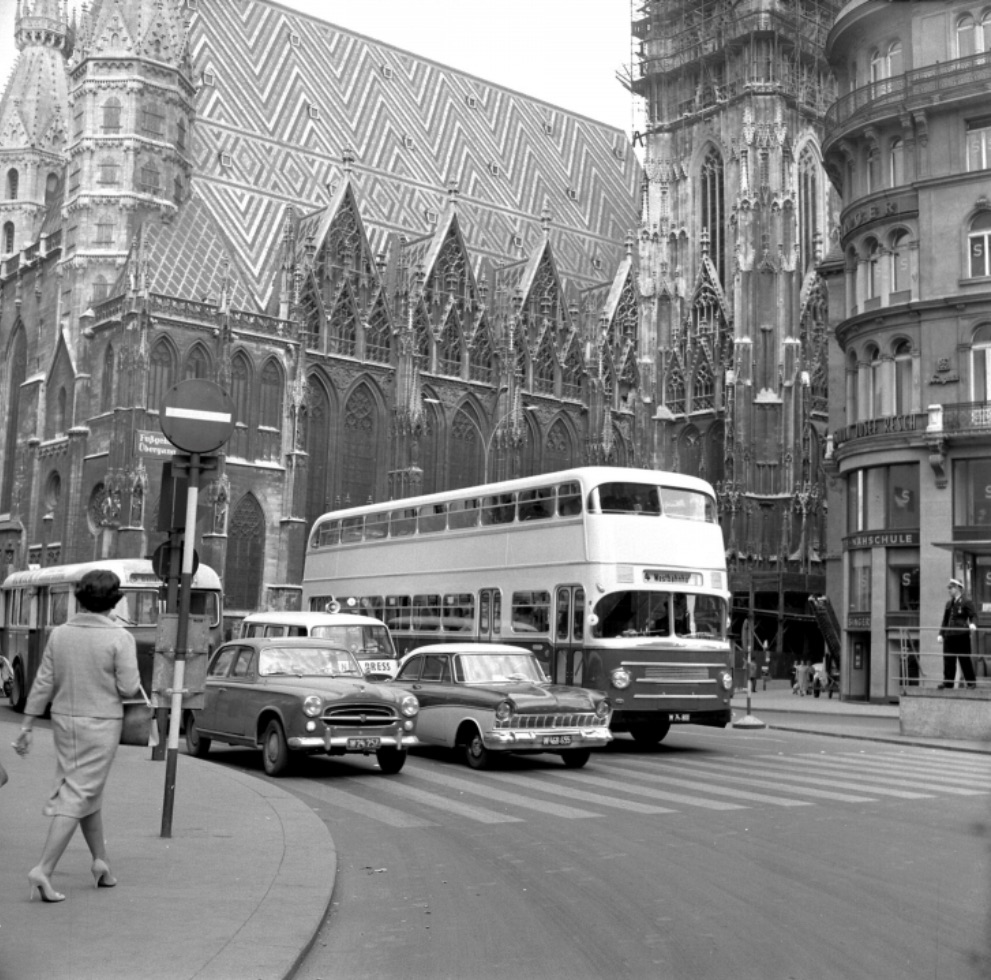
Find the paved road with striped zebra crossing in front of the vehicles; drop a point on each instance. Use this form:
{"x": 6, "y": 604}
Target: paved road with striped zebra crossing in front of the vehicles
{"x": 726, "y": 854}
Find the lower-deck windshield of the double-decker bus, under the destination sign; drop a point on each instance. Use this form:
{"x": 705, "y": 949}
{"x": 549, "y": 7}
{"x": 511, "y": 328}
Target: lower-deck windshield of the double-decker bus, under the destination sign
{"x": 641, "y": 613}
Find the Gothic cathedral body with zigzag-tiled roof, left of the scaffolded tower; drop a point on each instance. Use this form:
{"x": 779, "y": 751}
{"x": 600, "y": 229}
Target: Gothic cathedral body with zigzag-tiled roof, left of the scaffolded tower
{"x": 408, "y": 279}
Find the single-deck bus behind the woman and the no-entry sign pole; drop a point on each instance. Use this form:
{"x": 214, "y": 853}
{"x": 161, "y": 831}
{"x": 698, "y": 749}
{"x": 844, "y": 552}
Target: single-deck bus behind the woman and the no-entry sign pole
{"x": 34, "y": 602}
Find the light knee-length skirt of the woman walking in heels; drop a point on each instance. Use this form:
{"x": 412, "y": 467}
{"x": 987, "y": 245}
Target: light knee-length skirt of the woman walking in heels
{"x": 84, "y": 751}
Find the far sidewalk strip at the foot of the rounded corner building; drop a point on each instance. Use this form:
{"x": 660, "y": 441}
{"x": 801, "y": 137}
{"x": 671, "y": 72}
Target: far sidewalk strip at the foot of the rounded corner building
{"x": 778, "y": 708}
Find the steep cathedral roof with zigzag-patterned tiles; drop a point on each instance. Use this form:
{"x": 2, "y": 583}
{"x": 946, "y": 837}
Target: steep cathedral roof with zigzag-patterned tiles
{"x": 284, "y": 93}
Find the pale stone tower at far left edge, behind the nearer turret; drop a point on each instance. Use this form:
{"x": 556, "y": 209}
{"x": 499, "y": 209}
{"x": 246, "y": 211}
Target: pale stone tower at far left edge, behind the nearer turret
{"x": 33, "y": 124}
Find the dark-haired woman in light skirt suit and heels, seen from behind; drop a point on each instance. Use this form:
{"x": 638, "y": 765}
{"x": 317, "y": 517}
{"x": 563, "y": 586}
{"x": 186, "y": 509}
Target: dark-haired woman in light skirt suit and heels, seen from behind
{"x": 89, "y": 665}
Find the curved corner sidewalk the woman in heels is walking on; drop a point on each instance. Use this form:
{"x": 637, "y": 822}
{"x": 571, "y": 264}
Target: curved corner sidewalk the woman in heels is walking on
{"x": 237, "y": 893}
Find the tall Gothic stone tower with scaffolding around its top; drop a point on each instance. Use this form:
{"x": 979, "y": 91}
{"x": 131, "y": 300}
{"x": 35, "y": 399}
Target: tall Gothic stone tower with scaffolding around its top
{"x": 736, "y": 214}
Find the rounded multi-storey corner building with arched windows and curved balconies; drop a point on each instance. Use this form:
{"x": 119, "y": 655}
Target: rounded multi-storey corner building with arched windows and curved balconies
{"x": 908, "y": 144}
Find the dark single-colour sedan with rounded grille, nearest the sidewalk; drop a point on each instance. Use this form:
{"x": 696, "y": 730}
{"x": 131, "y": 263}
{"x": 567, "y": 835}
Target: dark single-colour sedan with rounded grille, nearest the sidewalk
{"x": 286, "y": 695}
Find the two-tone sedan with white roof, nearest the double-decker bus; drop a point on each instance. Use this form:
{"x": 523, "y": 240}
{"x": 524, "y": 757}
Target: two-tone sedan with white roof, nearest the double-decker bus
{"x": 488, "y": 698}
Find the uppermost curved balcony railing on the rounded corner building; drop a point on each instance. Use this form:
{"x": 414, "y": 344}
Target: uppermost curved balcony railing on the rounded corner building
{"x": 961, "y": 77}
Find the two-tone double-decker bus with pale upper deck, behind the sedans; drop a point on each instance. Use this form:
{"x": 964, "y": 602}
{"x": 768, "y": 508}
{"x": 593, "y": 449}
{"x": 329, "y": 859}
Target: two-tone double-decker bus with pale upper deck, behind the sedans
{"x": 615, "y": 578}
